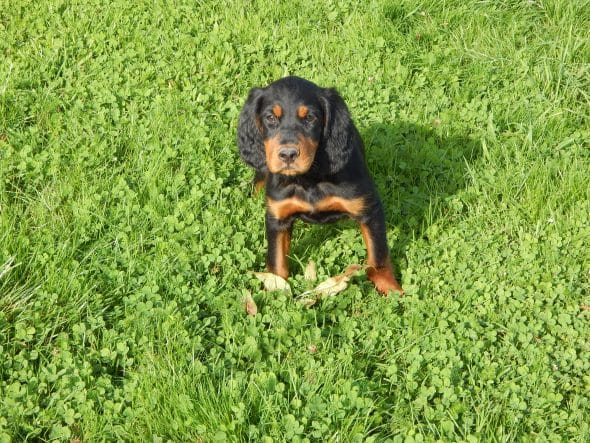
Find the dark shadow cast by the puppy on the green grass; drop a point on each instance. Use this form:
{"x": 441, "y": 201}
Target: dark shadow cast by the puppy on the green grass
{"x": 417, "y": 171}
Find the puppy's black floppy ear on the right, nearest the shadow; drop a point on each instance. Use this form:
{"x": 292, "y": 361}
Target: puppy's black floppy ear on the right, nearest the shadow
{"x": 340, "y": 135}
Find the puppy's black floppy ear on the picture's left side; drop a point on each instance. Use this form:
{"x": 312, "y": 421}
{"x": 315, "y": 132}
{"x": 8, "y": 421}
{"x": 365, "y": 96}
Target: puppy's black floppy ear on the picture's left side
{"x": 250, "y": 141}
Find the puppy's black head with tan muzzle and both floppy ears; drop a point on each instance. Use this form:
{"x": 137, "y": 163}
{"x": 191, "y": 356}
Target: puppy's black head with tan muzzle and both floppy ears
{"x": 293, "y": 126}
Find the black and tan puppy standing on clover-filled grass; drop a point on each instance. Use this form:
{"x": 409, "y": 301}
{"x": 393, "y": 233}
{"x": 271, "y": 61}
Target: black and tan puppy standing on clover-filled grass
{"x": 305, "y": 149}
